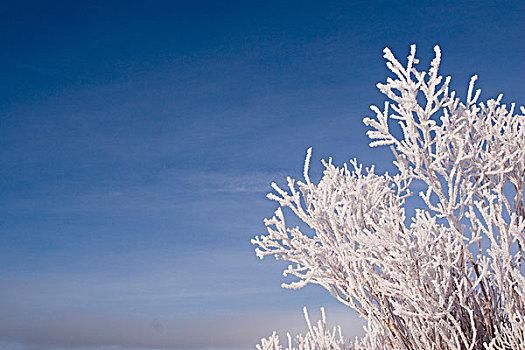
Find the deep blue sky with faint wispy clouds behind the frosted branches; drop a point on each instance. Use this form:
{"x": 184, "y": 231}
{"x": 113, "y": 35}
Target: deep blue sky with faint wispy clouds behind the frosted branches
{"x": 138, "y": 141}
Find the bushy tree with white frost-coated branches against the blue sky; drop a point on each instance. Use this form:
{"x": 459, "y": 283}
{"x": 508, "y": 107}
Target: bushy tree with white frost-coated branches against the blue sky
{"x": 452, "y": 275}
